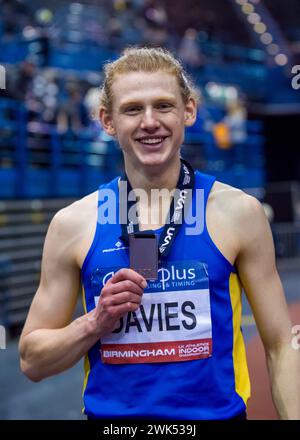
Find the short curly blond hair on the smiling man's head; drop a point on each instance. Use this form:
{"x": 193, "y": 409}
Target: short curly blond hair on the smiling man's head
{"x": 145, "y": 59}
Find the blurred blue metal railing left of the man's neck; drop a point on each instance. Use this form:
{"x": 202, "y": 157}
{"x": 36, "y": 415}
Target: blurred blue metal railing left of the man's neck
{"x": 37, "y": 161}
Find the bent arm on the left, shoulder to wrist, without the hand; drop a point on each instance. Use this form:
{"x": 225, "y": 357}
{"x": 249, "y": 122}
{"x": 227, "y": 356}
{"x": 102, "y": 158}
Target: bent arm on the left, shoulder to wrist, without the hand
{"x": 50, "y": 342}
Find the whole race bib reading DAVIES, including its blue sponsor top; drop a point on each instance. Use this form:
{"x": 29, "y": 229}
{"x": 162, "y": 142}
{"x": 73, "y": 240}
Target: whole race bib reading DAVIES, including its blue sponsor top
{"x": 173, "y": 323}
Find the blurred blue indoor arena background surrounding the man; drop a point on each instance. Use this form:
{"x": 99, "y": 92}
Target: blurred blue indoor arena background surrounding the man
{"x": 243, "y": 56}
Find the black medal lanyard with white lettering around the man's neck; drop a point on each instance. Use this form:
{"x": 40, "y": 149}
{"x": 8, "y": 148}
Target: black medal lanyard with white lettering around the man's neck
{"x": 180, "y": 202}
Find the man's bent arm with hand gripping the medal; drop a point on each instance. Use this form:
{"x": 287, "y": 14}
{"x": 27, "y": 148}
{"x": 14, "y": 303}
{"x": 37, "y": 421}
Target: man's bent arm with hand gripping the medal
{"x": 51, "y": 342}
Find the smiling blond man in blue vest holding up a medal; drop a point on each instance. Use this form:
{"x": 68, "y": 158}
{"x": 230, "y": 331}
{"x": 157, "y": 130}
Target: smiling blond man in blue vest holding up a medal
{"x": 171, "y": 348}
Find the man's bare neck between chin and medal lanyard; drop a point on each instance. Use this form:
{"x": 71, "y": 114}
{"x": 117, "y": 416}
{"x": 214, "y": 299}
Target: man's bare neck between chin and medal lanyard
{"x": 148, "y": 178}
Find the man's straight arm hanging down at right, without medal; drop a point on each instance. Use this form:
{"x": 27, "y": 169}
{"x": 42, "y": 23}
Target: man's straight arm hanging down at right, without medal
{"x": 260, "y": 279}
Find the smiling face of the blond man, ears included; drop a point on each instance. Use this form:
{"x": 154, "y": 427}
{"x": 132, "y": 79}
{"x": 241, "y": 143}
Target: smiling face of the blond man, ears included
{"x": 148, "y": 117}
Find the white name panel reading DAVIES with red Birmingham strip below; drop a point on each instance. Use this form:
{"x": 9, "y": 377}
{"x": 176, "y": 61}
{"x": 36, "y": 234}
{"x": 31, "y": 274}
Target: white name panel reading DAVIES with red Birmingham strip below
{"x": 168, "y": 327}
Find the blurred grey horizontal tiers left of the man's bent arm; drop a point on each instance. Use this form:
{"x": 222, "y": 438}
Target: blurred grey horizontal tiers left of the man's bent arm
{"x": 23, "y": 226}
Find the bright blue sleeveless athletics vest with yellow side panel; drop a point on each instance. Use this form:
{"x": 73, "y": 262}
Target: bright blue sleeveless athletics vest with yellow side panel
{"x": 211, "y": 386}
